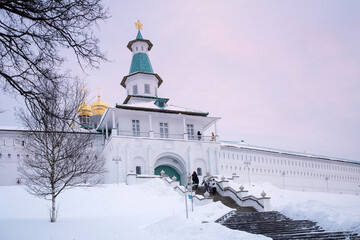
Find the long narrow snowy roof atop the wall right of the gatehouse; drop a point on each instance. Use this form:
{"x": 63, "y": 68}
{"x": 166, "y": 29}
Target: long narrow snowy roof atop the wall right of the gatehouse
{"x": 243, "y": 145}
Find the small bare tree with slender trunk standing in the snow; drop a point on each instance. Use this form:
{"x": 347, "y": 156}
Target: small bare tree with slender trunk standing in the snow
{"x": 60, "y": 155}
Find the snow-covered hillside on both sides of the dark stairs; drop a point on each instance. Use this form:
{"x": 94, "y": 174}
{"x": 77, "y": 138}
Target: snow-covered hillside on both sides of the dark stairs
{"x": 154, "y": 211}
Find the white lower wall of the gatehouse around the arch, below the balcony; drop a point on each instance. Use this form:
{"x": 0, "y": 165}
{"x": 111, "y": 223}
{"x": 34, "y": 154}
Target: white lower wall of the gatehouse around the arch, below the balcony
{"x": 183, "y": 155}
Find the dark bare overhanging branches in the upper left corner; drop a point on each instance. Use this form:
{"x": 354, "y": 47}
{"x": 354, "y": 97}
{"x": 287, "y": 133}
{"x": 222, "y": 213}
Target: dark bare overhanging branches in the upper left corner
{"x": 33, "y": 35}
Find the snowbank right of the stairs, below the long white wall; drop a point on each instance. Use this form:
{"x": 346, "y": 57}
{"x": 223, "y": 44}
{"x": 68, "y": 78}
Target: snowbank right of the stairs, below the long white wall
{"x": 333, "y": 212}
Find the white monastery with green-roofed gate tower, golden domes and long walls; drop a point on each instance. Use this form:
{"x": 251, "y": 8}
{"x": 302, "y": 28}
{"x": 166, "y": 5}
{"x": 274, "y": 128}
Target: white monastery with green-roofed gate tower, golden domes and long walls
{"x": 146, "y": 134}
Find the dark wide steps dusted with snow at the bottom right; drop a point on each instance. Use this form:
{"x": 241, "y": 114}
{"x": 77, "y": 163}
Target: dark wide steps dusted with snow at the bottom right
{"x": 278, "y": 227}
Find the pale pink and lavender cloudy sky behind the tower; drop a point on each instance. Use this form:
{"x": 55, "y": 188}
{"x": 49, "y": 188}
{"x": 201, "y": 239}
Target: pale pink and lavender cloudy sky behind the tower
{"x": 280, "y": 74}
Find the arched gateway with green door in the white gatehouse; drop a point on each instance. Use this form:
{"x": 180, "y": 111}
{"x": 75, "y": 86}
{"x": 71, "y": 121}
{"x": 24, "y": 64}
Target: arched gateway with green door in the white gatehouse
{"x": 173, "y": 165}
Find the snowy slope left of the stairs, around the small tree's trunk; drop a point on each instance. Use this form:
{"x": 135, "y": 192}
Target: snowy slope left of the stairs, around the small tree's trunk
{"x": 151, "y": 210}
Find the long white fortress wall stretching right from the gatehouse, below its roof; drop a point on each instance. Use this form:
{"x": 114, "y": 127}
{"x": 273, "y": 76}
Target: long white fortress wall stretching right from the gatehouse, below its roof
{"x": 290, "y": 171}
